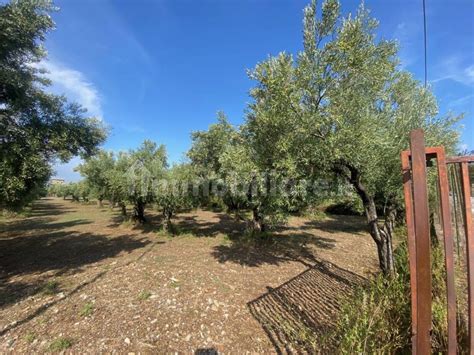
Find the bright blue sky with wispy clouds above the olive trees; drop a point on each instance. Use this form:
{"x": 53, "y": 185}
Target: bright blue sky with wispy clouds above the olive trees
{"x": 160, "y": 69}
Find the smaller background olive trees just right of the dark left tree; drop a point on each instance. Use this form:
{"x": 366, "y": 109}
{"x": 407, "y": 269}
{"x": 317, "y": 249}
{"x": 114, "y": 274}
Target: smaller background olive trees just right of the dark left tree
{"x": 139, "y": 178}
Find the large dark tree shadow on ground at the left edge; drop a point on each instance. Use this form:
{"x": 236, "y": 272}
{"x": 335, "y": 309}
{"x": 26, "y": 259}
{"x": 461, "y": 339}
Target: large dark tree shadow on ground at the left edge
{"x": 23, "y": 258}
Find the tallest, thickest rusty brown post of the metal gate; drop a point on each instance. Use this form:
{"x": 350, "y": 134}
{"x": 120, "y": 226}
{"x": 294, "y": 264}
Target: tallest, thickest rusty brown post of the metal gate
{"x": 423, "y": 264}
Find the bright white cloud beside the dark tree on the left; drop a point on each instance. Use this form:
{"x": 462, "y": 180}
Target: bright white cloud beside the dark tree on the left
{"x": 74, "y": 85}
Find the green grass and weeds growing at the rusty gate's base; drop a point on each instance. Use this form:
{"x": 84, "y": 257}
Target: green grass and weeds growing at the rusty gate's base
{"x": 378, "y": 318}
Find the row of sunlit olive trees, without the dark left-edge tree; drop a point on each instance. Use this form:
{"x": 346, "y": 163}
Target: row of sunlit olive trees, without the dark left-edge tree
{"x": 340, "y": 110}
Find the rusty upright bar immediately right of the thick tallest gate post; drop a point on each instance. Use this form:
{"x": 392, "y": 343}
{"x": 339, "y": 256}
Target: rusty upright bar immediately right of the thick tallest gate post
{"x": 443, "y": 184}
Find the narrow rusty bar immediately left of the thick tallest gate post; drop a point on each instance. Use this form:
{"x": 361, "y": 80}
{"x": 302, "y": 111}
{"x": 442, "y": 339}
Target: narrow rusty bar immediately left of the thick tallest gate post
{"x": 408, "y": 191}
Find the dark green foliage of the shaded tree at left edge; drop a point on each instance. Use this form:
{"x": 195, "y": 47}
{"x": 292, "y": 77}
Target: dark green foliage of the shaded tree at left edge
{"x": 36, "y": 128}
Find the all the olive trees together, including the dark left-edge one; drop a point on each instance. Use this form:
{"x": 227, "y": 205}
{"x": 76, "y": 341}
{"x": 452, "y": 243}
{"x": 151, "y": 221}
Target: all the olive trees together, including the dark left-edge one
{"x": 340, "y": 110}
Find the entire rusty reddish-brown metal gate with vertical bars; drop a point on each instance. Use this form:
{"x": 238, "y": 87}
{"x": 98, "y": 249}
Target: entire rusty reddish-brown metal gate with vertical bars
{"x": 414, "y": 163}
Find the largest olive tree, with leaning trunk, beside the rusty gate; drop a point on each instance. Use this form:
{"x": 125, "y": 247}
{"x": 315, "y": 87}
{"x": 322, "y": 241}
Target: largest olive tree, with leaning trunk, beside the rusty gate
{"x": 343, "y": 106}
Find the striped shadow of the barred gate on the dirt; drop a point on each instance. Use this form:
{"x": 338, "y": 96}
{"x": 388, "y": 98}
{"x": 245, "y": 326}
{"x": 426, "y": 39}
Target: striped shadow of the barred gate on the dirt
{"x": 298, "y": 315}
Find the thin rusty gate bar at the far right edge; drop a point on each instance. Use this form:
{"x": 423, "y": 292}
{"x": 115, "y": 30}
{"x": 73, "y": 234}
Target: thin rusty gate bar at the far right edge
{"x": 466, "y": 187}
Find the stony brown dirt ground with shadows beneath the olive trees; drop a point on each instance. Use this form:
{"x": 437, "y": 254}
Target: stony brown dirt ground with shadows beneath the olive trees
{"x": 72, "y": 276}
